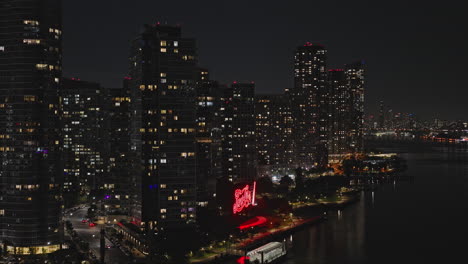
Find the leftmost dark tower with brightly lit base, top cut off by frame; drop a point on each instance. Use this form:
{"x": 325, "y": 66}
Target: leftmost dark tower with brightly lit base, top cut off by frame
{"x": 30, "y": 172}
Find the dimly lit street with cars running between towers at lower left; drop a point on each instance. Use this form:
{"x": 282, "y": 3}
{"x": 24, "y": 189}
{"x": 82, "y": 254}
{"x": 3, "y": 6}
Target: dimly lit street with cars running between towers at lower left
{"x": 92, "y": 236}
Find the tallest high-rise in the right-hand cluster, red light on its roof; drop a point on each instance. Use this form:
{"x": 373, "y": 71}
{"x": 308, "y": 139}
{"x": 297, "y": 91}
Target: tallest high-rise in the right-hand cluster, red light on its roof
{"x": 310, "y": 105}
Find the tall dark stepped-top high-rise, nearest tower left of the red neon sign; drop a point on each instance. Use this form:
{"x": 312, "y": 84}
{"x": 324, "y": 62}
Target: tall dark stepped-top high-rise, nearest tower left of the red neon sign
{"x": 163, "y": 128}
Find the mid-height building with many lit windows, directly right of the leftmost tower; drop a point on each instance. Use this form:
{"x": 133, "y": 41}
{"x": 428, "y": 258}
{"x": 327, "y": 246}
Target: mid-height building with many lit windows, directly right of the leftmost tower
{"x": 84, "y": 149}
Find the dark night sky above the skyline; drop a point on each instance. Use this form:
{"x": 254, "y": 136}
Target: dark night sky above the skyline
{"x": 416, "y": 53}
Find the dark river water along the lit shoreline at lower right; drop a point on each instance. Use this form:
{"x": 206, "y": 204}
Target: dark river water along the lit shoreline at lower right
{"x": 419, "y": 221}
